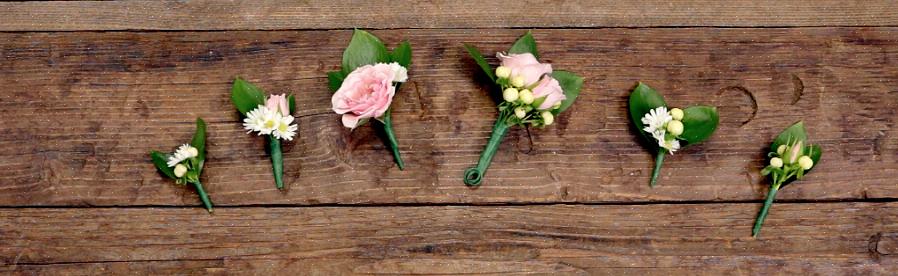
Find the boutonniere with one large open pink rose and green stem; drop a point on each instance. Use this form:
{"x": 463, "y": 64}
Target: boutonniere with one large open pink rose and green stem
{"x": 370, "y": 76}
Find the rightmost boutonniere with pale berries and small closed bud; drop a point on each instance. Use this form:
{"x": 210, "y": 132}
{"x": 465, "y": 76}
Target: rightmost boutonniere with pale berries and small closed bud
{"x": 791, "y": 157}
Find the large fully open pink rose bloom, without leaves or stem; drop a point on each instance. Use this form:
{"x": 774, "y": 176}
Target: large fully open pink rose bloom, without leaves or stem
{"x": 366, "y": 93}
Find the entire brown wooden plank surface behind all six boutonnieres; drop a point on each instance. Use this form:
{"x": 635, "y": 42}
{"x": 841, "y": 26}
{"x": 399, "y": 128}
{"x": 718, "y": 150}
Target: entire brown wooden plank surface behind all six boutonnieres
{"x": 88, "y": 88}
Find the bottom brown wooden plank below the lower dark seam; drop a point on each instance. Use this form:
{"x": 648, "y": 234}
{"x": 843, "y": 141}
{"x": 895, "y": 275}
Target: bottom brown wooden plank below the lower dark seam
{"x": 822, "y": 238}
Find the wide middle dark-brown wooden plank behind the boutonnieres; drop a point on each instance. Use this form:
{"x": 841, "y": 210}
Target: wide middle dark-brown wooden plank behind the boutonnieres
{"x": 83, "y": 109}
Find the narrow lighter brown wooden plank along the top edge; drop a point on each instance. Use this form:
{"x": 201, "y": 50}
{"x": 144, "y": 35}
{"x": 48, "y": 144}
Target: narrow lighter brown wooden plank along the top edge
{"x": 317, "y": 14}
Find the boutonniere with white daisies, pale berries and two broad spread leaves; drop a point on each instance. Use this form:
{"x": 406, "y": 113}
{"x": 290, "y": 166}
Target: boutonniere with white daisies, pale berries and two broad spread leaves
{"x": 667, "y": 130}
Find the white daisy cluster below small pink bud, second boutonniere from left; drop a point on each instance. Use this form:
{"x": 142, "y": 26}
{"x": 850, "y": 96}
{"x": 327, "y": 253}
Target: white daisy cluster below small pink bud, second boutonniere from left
{"x": 269, "y": 122}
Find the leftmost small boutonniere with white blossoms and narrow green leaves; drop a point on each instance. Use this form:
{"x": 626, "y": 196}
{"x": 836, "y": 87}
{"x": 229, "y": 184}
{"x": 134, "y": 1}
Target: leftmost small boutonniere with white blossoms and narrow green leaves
{"x": 185, "y": 165}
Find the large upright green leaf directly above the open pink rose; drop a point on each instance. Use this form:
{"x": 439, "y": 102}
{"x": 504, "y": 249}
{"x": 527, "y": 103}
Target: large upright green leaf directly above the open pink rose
{"x": 364, "y": 49}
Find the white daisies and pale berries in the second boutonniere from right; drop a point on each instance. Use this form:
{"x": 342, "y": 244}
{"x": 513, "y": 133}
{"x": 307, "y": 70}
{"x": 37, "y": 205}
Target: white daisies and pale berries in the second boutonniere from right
{"x": 665, "y": 127}
